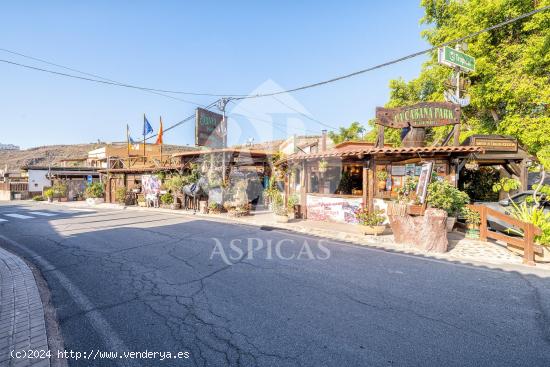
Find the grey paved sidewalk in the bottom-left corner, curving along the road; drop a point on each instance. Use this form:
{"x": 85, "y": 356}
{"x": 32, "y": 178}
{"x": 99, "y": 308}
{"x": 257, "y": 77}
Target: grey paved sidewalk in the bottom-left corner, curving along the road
{"x": 22, "y": 324}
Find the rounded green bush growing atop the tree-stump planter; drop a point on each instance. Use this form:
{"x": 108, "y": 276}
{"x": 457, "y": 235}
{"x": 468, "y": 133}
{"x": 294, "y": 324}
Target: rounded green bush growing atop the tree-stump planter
{"x": 443, "y": 195}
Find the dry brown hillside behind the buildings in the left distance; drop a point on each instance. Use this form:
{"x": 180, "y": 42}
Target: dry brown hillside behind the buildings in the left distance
{"x": 15, "y": 159}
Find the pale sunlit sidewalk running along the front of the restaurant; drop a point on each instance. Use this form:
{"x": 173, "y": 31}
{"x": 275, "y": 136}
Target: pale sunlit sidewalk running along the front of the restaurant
{"x": 461, "y": 249}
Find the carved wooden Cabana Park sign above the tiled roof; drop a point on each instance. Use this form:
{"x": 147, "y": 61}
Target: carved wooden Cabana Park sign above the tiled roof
{"x": 424, "y": 114}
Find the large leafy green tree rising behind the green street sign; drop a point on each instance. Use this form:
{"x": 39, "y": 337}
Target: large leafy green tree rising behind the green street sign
{"x": 510, "y": 89}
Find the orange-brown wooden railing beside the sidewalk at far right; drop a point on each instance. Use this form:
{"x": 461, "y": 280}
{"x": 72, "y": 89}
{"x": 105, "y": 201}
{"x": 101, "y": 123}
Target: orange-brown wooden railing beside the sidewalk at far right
{"x": 527, "y": 242}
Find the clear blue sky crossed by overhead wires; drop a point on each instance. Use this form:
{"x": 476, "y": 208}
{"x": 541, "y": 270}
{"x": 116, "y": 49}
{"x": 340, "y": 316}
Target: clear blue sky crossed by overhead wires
{"x": 235, "y": 48}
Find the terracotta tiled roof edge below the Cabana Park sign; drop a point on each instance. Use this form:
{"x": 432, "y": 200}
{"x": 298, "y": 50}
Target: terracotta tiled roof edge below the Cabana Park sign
{"x": 364, "y": 149}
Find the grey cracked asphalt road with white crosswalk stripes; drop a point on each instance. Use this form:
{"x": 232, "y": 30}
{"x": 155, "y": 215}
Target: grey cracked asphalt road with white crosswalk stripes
{"x": 143, "y": 281}
